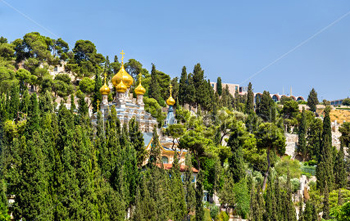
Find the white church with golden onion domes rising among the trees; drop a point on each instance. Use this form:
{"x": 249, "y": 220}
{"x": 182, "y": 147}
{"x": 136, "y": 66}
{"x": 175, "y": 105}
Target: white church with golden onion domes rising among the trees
{"x": 128, "y": 107}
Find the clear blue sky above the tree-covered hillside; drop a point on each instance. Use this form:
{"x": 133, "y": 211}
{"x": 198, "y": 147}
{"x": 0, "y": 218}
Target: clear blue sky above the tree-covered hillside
{"x": 231, "y": 39}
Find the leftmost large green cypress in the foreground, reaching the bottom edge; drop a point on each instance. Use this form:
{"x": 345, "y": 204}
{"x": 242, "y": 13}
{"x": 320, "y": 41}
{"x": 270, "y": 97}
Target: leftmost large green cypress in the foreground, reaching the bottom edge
{"x": 32, "y": 199}
